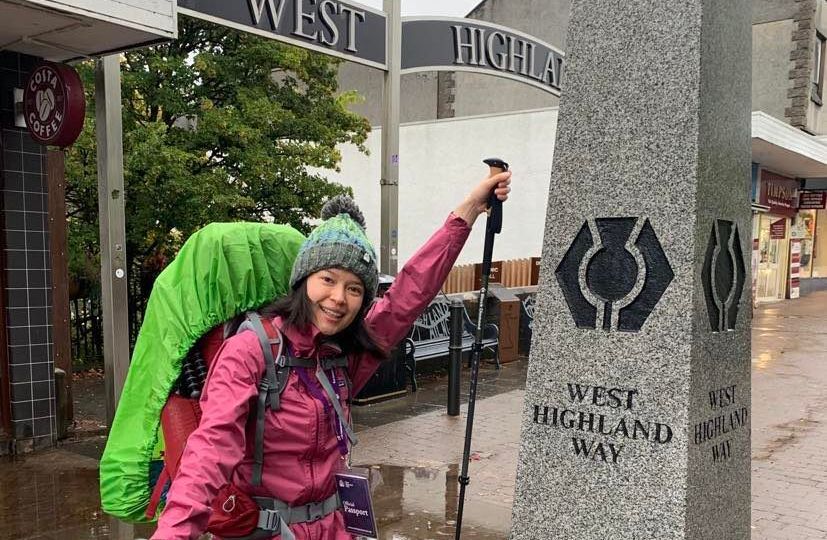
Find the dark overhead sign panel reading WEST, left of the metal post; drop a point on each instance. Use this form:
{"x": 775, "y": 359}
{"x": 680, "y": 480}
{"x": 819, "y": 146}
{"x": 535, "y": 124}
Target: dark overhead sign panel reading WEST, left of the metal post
{"x": 344, "y": 29}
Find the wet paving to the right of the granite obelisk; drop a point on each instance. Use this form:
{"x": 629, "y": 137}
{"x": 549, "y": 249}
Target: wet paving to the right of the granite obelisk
{"x": 789, "y": 430}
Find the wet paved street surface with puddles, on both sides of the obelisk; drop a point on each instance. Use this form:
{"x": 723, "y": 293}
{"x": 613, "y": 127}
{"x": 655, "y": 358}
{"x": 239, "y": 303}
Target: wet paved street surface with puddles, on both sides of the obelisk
{"x": 413, "y": 449}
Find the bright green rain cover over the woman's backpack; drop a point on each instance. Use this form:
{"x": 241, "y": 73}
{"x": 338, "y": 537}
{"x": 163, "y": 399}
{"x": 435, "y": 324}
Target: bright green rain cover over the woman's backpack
{"x": 221, "y": 271}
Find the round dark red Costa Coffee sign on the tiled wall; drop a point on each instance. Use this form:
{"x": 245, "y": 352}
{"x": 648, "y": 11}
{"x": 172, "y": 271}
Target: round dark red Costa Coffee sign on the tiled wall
{"x": 54, "y": 105}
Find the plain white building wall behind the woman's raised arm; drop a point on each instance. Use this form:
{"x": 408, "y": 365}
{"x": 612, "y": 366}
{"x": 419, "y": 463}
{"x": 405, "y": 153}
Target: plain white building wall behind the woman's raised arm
{"x": 441, "y": 160}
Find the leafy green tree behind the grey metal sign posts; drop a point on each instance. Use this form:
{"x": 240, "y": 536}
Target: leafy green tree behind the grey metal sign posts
{"x": 218, "y": 125}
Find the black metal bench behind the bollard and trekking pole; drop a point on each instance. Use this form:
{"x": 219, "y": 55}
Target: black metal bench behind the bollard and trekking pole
{"x": 430, "y": 336}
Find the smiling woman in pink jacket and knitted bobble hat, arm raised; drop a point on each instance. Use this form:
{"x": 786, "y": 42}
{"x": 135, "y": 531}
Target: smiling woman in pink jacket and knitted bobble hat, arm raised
{"x": 329, "y": 313}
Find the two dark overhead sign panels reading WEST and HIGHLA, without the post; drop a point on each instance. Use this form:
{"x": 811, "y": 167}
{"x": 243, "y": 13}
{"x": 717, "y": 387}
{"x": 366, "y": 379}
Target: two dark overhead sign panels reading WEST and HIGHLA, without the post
{"x": 359, "y": 34}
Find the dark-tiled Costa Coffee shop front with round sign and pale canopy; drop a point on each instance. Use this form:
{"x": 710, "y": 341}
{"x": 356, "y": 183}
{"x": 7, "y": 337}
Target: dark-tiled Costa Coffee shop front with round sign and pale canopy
{"x": 39, "y": 116}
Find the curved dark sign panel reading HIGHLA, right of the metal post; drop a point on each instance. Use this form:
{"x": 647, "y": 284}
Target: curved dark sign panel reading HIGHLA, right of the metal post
{"x": 469, "y": 45}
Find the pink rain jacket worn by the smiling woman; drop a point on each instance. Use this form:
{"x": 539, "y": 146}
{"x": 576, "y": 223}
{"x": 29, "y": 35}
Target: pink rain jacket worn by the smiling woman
{"x": 300, "y": 447}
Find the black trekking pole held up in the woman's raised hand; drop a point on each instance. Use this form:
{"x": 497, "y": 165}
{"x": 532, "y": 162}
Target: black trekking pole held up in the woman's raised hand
{"x": 493, "y": 226}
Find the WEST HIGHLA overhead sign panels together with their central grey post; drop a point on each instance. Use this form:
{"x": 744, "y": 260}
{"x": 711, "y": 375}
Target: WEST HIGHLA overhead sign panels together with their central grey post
{"x": 383, "y": 40}
